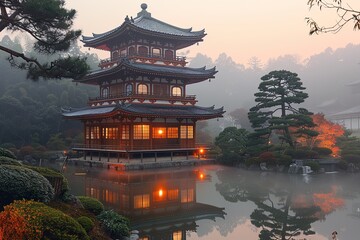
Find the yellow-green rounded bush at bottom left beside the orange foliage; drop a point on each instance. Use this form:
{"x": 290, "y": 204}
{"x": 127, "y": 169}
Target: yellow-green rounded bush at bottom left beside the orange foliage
{"x": 54, "y": 223}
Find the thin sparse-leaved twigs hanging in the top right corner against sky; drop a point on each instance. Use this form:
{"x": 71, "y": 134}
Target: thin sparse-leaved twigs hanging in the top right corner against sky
{"x": 345, "y": 14}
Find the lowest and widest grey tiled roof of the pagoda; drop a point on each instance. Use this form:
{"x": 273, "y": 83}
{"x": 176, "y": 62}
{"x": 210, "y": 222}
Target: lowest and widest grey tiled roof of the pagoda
{"x": 145, "y": 109}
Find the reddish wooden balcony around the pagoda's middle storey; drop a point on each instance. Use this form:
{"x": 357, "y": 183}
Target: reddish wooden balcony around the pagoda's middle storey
{"x": 129, "y": 97}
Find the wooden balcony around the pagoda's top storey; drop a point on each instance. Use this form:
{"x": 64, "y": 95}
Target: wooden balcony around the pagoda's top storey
{"x": 177, "y": 61}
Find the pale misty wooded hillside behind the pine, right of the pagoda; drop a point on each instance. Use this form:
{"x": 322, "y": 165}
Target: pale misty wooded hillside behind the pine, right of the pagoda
{"x": 331, "y": 78}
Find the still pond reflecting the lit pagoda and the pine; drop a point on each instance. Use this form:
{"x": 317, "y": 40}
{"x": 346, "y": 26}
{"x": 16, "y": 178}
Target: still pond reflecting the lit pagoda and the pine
{"x": 217, "y": 202}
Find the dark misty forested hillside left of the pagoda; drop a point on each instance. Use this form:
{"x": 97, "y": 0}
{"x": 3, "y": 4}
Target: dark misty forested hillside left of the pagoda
{"x": 30, "y": 111}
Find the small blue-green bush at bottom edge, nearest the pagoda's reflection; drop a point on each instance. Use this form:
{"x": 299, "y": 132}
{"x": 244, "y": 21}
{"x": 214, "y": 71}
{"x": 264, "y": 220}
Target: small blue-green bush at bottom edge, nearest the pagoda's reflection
{"x": 116, "y": 225}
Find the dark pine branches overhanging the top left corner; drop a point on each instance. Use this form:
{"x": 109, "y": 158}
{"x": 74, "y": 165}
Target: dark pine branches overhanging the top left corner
{"x": 49, "y": 23}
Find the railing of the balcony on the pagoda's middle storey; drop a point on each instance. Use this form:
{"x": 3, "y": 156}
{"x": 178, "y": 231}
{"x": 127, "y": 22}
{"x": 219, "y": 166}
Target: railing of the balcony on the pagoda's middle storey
{"x": 155, "y": 97}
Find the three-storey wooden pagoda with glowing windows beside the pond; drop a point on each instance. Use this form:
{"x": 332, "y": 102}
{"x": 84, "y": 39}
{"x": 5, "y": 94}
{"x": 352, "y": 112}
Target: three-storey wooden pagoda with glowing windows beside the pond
{"x": 142, "y": 105}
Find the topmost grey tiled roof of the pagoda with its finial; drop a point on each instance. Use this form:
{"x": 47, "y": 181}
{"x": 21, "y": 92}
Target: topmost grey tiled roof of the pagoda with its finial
{"x": 144, "y": 22}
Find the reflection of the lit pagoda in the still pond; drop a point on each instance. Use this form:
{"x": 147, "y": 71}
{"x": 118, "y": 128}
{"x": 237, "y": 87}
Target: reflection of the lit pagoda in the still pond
{"x": 161, "y": 205}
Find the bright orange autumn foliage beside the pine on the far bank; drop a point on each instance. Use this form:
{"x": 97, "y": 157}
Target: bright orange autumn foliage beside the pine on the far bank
{"x": 328, "y": 133}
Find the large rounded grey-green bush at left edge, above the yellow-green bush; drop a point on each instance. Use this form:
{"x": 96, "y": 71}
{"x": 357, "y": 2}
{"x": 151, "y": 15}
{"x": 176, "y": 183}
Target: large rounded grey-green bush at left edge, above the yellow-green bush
{"x": 22, "y": 183}
